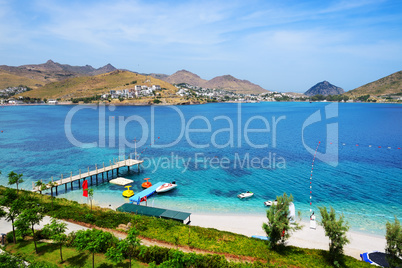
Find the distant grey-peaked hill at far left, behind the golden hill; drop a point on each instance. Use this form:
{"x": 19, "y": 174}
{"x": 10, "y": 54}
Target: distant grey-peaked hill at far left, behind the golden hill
{"x": 52, "y": 71}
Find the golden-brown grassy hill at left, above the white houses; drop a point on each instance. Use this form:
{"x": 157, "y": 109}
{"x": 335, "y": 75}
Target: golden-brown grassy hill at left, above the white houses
{"x": 88, "y": 86}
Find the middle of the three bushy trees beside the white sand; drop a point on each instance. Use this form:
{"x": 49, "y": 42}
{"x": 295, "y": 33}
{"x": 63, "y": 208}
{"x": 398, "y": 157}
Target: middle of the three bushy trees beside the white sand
{"x": 335, "y": 230}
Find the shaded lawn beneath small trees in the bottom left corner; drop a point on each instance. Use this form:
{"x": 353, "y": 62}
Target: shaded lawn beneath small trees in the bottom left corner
{"x": 49, "y": 253}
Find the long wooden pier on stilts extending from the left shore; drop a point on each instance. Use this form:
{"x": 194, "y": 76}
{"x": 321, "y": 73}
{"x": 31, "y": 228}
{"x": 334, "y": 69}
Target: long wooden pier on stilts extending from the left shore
{"x": 89, "y": 174}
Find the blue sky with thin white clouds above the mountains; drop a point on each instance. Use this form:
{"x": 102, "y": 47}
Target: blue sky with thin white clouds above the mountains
{"x": 287, "y": 45}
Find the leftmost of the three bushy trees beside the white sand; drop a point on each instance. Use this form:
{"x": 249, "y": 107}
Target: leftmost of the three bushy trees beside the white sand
{"x": 279, "y": 228}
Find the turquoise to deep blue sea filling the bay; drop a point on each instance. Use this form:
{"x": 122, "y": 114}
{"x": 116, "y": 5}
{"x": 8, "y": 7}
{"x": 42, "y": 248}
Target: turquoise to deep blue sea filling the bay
{"x": 216, "y": 151}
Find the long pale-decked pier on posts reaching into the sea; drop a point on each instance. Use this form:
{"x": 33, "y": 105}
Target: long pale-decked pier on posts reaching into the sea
{"x": 82, "y": 176}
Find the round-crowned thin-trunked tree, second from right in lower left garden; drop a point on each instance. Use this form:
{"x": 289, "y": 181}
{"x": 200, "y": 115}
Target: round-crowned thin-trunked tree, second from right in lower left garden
{"x": 94, "y": 241}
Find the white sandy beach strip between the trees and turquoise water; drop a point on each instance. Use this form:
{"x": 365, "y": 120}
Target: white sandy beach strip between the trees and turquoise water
{"x": 306, "y": 238}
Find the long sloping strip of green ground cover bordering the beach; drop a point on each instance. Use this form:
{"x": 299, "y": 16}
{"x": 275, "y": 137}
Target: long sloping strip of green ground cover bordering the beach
{"x": 194, "y": 237}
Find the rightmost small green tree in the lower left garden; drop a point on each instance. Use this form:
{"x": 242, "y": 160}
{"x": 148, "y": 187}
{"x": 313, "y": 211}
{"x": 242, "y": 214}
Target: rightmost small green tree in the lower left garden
{"x": 124, "y": 247}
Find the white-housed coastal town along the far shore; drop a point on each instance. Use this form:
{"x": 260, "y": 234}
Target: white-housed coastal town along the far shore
{"x": 188, "y": 92}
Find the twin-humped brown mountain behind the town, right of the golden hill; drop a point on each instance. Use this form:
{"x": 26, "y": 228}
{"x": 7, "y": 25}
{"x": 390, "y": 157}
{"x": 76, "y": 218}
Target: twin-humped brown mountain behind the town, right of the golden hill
{"x": 226, "y": 82}
